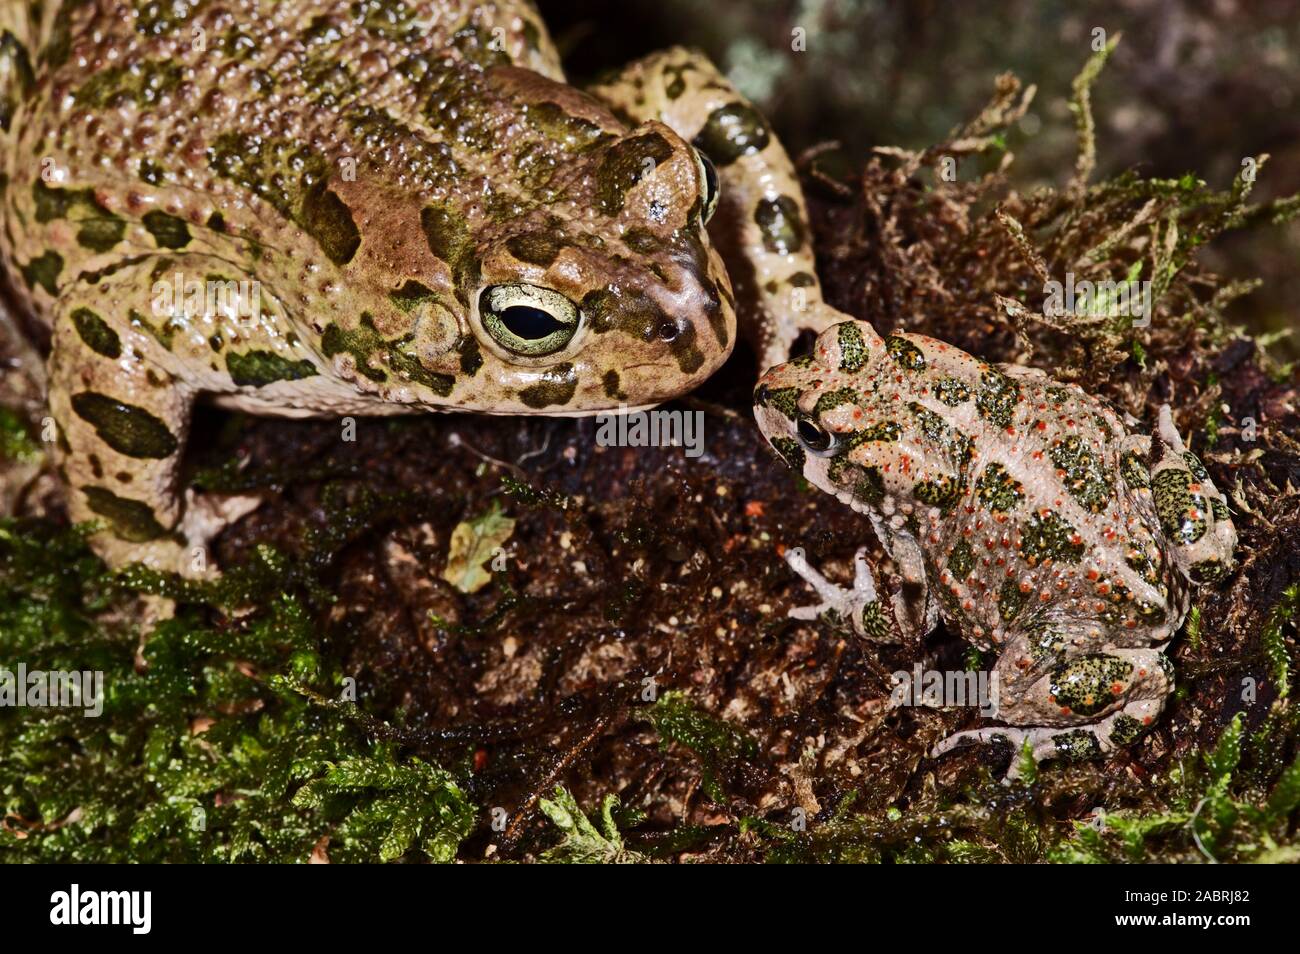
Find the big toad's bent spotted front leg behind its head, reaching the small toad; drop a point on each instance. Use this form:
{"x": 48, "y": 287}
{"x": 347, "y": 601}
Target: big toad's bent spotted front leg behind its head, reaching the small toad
{"x": 762, "y": 227}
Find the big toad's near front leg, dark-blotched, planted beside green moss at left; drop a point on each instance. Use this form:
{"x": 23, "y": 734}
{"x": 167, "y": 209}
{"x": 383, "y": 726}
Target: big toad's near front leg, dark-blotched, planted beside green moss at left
{"x": 123, "y": 384}
